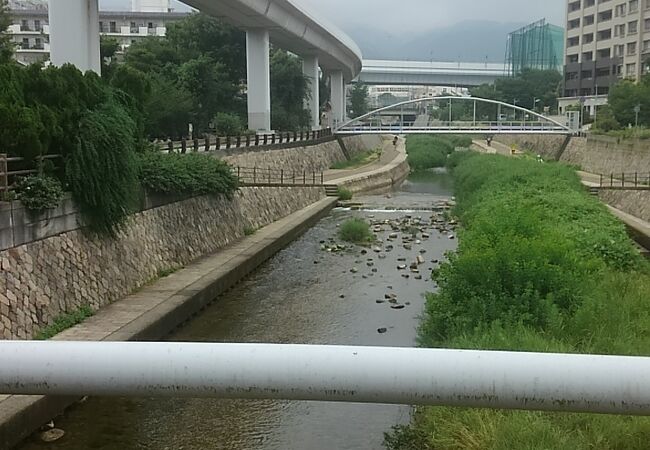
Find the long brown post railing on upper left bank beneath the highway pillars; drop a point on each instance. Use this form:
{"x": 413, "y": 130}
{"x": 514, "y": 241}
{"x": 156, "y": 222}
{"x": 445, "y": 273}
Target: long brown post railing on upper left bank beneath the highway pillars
{"x": 246, "y": 141}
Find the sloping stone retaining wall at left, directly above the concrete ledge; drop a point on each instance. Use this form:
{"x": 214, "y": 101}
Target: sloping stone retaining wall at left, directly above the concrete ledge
{"x": 45, "y": 278}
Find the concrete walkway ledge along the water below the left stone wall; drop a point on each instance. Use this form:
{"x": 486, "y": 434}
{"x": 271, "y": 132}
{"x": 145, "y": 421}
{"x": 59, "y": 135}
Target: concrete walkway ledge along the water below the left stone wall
{"x": 156, "y": 309}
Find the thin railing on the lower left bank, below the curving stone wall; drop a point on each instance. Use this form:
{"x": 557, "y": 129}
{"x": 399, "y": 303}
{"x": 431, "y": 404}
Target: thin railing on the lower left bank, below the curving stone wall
{"x": 257, "y": 176}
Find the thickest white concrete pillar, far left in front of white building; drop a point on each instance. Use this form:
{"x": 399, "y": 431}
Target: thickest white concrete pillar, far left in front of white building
{"x": 74, "y": 33}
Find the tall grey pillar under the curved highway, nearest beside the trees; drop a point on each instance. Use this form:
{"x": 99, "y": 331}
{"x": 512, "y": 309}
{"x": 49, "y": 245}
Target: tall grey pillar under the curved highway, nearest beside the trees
{"x": 259, "y": 80}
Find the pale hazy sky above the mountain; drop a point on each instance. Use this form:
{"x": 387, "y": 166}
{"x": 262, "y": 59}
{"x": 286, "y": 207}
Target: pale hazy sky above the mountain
{"x": 420, "y": 15}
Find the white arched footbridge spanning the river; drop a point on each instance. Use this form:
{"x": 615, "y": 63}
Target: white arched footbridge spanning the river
{"x": 477, "y": 116}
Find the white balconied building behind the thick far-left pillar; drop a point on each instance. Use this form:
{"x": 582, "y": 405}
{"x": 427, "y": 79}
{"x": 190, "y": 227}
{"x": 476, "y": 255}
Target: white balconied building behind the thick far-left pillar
{"x": 31, "y": 32}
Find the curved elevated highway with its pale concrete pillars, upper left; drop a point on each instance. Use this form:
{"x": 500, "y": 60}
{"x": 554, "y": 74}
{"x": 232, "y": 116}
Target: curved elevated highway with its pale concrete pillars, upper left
{"x": 74, "y": 38}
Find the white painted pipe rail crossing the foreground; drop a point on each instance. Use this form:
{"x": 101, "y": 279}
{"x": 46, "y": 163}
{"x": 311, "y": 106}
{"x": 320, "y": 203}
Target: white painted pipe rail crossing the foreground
{"x": 532, "y": 381}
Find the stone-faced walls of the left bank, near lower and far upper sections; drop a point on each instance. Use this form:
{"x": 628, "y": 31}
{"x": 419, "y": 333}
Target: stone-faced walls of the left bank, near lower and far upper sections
{"x": 49, "y": 265}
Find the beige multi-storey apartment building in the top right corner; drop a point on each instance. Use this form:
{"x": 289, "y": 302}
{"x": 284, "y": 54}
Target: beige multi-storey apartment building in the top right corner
{"x": 606, "y": 40}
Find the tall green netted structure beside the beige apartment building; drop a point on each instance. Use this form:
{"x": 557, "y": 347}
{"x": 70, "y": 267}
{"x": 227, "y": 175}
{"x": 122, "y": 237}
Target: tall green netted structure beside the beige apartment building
{"x": 539, "y": 45}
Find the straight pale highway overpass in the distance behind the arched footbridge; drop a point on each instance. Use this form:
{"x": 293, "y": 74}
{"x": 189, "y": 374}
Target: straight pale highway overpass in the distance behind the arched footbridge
{"x": 425, "y": 73}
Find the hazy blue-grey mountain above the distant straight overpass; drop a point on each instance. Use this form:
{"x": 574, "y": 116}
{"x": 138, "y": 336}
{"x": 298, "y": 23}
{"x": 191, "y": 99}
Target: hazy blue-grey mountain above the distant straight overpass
{"x": 469, "y": 41}
